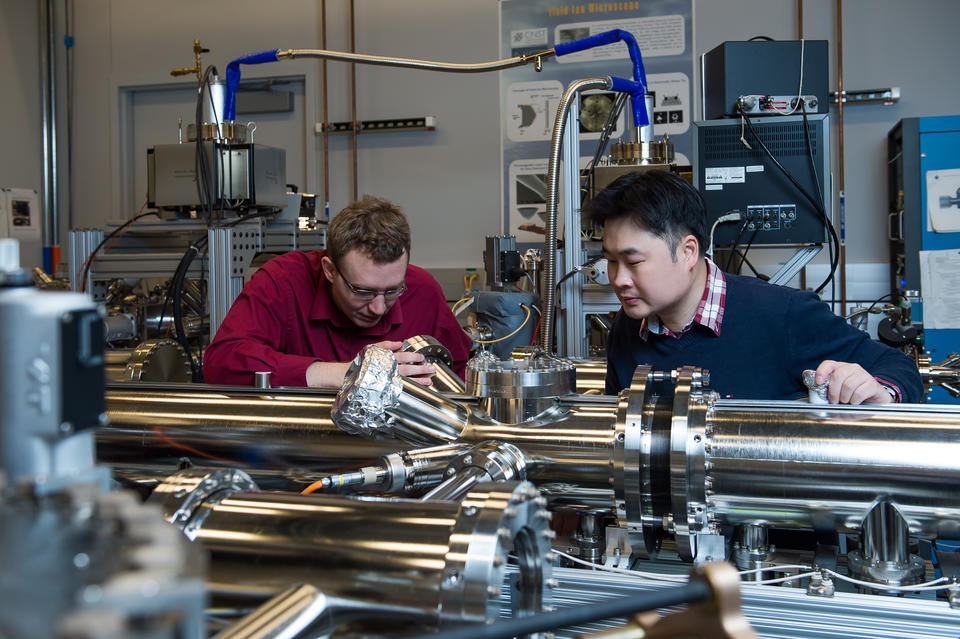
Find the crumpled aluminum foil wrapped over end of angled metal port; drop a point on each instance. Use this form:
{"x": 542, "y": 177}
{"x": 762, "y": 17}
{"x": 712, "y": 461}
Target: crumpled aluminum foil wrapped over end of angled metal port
{"x": 370, "y": 388}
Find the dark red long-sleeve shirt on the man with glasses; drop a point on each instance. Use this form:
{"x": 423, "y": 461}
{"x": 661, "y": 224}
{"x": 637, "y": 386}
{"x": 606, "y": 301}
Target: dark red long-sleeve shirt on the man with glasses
{"x": 285, "y": 319}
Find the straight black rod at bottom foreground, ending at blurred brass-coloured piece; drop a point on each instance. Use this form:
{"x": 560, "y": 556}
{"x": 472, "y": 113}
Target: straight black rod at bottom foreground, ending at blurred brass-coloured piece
{"x": 695, "y": 592}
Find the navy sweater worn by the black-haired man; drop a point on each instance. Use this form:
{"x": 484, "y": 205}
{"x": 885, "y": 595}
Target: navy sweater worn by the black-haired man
{"x": 768, "y": 336}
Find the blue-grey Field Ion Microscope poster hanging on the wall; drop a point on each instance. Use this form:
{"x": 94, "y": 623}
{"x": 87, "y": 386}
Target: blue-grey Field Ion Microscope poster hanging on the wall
{"x": 529, "y": 100}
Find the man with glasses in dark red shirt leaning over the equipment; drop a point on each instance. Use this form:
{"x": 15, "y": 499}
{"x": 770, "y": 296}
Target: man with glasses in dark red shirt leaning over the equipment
{"x": 305, "y": 315}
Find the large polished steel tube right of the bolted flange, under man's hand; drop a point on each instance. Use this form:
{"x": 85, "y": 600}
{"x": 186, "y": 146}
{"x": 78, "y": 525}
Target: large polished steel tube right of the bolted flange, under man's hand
{"x": 822, "y": 467}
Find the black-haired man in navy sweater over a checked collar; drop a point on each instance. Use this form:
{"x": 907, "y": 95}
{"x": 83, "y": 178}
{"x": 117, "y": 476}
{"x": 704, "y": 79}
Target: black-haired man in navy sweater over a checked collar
{"x": 756, "y": 339}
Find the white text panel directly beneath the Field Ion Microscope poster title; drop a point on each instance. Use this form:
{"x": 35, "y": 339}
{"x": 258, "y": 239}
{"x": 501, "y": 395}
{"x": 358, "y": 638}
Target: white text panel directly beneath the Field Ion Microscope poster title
{"x": 656, "y": 36}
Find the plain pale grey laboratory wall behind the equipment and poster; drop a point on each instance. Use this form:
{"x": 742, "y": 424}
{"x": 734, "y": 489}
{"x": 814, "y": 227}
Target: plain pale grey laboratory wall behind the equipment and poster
{"x": 448, "y": 180}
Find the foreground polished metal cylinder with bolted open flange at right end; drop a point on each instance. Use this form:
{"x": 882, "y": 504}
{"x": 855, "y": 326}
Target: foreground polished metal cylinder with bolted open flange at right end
{"x": 444, "y": 560}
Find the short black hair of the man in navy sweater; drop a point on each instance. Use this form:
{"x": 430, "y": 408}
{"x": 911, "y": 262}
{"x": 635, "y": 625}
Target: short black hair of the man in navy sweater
{"x": 657, "y": 201}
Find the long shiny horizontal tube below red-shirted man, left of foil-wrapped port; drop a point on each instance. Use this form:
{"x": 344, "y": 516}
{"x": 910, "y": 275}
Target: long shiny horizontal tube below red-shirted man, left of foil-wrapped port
{"x": 283, "y": 434}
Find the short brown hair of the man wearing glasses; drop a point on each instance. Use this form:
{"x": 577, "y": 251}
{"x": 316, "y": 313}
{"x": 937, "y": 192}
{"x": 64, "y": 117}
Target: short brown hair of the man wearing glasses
{"x": 374, "y": 226}
